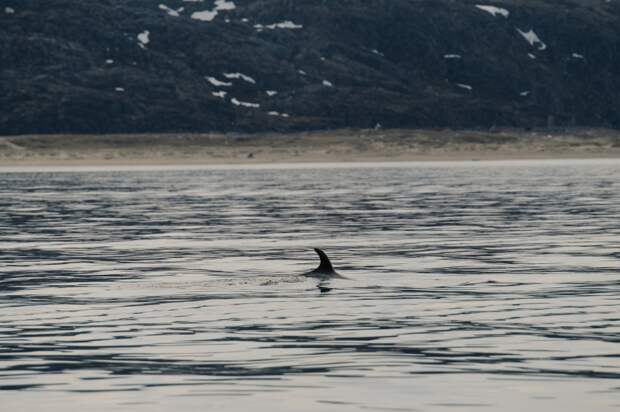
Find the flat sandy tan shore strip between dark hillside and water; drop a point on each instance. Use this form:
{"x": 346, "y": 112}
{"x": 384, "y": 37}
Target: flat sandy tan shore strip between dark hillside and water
{"x": 346, "y": 145}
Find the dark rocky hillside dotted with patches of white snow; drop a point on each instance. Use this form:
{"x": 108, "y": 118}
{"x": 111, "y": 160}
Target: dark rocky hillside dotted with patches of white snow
{"x": 105, "y": 66}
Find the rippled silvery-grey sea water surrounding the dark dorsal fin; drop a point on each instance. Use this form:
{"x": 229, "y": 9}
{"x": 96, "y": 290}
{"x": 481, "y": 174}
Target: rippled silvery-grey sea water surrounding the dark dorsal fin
{"x": 470, "y": 286}
